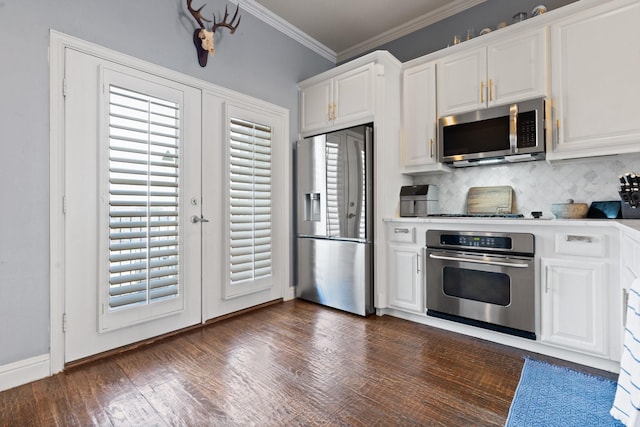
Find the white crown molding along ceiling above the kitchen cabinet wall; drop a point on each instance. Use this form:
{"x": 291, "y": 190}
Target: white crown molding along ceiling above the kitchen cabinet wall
{"x": 409, "y": 27}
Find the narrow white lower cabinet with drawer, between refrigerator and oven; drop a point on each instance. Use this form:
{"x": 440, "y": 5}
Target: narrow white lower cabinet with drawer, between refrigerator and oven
{"x": 405, "y": 269}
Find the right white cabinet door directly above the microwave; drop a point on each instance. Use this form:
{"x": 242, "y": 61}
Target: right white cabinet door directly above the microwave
{"x": 517, "y": 68}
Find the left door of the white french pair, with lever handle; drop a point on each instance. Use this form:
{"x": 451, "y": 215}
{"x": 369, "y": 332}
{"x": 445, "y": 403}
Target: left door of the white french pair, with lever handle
{"x": 132, "y": 205}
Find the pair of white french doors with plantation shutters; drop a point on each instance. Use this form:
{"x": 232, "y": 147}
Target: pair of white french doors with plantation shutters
{"x": 176, "y": 203}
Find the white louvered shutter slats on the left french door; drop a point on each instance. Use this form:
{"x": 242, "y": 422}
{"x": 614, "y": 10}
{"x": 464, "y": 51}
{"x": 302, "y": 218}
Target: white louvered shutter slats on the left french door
{"x": 144, "y": 154}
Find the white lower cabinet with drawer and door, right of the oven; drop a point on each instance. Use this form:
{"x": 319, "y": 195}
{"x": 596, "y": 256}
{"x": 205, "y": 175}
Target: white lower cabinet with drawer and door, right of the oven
{"x": 580, "y": 295}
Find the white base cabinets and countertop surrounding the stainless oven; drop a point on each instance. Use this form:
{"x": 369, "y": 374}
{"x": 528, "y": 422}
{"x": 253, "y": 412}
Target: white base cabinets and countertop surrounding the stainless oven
{"x": 581, "y": 272}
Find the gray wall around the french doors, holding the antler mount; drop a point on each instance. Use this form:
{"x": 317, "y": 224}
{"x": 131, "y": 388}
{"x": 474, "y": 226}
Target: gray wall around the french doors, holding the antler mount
{"x": 257, "y": 60}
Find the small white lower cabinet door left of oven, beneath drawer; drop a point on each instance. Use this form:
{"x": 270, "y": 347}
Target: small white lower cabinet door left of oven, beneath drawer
{"x": 405, "y": 278}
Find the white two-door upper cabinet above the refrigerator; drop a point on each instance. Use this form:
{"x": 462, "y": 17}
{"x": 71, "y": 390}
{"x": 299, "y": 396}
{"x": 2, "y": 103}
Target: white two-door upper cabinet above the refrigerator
{"x": 347, "y": 98}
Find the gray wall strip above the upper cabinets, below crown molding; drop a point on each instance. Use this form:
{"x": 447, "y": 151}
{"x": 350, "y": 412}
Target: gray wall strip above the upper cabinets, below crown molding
{"x": 440, "y": 34}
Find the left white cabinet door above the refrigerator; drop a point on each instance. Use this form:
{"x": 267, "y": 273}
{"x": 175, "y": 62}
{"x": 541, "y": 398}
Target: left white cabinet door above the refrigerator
{"x": 315, "y": 104}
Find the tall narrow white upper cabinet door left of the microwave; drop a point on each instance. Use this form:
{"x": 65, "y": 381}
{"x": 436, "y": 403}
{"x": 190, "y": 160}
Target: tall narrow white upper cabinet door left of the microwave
{"x": 419, "y": 115}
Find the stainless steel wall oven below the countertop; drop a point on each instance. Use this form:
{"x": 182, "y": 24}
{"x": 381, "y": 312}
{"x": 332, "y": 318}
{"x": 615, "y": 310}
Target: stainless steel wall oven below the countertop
{"x": 484, "y": 279}
